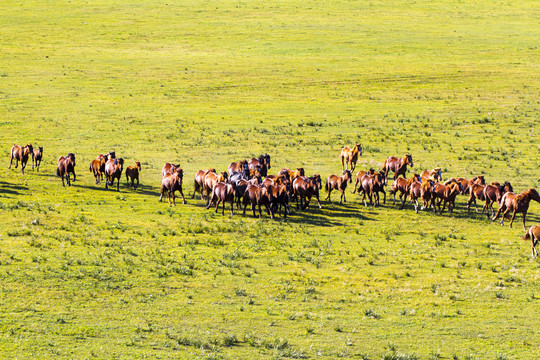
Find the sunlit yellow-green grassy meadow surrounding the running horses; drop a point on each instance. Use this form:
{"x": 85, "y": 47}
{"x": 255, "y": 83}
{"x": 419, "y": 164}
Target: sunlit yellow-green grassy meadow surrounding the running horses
{"x": 92, "y": 273}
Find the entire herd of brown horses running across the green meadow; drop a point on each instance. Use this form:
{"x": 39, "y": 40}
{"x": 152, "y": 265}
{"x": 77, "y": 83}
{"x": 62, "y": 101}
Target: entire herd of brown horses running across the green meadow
{"x": 248, "y": 183}
